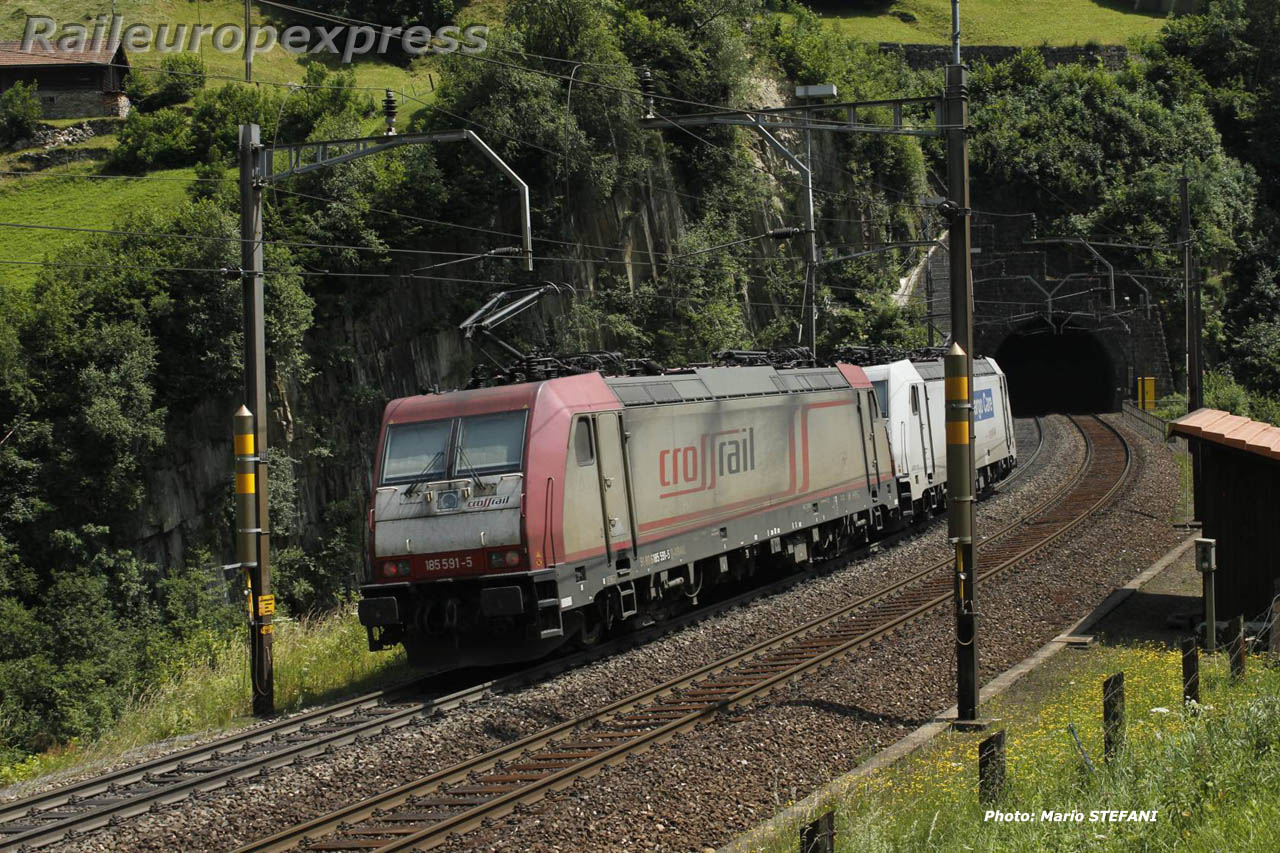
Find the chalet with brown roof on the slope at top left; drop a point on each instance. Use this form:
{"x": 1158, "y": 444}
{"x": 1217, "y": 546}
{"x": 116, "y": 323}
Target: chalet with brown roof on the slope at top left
{"x": 71, "y": 84}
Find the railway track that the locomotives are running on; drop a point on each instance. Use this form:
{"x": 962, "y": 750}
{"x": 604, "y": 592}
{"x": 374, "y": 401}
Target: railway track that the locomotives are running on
{"x": 72, "y": 811}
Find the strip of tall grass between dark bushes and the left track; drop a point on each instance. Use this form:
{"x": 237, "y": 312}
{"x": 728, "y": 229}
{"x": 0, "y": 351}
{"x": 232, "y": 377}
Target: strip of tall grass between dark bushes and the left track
{"x": 317, "y": 659}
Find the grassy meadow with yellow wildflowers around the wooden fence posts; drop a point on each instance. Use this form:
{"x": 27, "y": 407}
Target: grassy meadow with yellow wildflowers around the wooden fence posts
{"x": 1213, "y": 773}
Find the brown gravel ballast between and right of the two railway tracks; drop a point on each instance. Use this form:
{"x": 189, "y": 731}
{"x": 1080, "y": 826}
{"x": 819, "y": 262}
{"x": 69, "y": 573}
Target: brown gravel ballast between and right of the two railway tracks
{"x": 705, "y": 788}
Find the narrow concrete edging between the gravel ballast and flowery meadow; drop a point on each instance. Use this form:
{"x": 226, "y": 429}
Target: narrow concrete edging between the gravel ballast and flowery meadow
{"x": 833, "y": 792}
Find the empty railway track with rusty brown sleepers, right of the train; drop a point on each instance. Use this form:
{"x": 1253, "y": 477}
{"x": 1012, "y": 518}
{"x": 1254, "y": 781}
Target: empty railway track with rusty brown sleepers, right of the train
{"x": 424, "y": 814}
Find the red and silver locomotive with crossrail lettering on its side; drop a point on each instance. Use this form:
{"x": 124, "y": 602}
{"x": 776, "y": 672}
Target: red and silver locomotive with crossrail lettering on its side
{"x": 509, "y": 521}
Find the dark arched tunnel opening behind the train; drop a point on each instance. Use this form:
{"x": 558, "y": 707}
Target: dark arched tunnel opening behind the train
{"x": 1068, "y": 372}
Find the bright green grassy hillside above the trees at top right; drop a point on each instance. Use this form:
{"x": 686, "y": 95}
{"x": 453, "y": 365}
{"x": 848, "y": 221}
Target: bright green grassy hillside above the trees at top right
{"x": 995, "y": 22}
